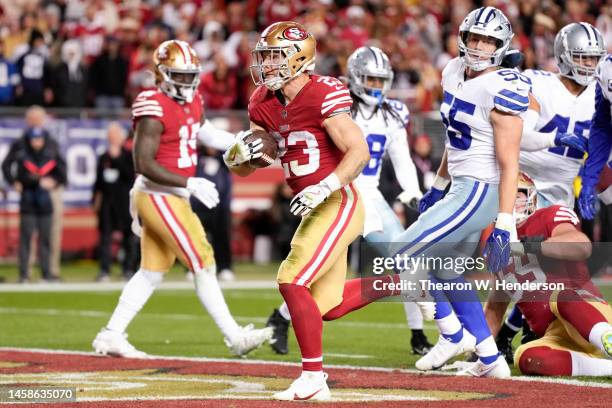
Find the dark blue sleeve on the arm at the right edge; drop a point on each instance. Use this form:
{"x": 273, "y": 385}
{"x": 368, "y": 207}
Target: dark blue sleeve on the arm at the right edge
{"x": 600, "y": 139}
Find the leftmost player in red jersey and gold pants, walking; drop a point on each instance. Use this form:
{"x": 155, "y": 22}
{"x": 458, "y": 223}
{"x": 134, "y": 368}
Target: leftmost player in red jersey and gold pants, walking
{"x": 167, "y": 122}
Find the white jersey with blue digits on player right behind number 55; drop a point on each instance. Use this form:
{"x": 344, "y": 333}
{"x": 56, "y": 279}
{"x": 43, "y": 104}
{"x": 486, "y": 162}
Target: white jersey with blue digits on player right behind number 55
{"x": 553, "y": 170}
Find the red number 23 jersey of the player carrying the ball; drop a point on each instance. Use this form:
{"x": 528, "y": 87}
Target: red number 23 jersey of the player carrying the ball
{"x": 306, "y": 151}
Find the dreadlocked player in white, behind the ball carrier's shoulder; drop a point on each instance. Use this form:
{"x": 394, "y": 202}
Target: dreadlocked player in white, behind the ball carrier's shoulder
{"x": 383, "y": 122}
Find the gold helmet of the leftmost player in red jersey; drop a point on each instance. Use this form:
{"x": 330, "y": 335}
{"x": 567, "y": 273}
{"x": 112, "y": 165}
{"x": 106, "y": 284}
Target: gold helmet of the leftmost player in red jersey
{"x": 177, "y": 69}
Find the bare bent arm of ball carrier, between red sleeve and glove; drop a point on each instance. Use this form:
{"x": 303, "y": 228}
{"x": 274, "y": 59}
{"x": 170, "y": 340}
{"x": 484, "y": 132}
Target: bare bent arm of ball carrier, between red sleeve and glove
{"x": 348, "y": 138}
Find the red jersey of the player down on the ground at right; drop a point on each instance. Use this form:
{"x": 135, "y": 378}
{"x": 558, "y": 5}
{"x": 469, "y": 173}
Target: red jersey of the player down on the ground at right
{"x": 535, "y": 305}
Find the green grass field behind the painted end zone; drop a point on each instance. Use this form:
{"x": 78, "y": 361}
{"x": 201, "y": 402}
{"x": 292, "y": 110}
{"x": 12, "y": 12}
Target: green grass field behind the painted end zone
{"x": 173, "y": 322}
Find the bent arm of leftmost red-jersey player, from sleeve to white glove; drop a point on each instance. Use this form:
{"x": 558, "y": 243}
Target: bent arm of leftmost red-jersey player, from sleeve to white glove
{"x": 146, "y": 142}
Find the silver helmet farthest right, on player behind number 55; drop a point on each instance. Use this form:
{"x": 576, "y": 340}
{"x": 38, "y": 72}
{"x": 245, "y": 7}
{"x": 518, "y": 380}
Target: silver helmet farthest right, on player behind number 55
{"x": 574, "y": 43}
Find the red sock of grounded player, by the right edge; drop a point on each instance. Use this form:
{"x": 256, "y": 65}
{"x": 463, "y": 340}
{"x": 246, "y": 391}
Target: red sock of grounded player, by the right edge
{"x": 581, "y": 314}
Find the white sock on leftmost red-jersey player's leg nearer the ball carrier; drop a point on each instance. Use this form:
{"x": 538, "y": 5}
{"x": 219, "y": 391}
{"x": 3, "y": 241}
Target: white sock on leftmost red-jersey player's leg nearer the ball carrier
{"x": 211, "y": 297}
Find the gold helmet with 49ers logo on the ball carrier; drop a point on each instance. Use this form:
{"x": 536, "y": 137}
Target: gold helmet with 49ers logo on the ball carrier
{"x": 284, "y": 51}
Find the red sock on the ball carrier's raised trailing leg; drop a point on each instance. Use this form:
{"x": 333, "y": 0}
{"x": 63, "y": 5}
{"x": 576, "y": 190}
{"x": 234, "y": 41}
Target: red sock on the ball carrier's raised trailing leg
{"x": 360, "y": 292}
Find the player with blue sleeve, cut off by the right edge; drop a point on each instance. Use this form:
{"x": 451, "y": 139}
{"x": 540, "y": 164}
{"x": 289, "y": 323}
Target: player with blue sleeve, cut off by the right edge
{"x": 600, "y": 142}
